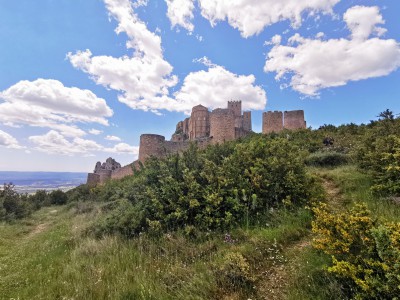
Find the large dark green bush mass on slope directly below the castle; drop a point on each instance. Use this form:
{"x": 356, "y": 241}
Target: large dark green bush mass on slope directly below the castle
{"x": 211, "y": 189}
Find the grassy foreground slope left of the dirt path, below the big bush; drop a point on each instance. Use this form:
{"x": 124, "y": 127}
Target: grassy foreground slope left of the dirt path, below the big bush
{"x": 49, "y": 256}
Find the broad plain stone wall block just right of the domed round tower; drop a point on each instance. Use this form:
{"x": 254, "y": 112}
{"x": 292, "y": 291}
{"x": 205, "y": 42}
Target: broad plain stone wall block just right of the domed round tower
{"x": 222, "y": 125}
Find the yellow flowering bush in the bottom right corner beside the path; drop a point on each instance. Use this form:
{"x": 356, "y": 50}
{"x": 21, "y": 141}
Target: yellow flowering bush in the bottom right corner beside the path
{"x": 365, "y": 254}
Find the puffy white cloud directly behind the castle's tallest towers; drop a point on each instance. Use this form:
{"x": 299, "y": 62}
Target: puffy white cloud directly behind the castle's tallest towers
{"x": 214, "y": 87}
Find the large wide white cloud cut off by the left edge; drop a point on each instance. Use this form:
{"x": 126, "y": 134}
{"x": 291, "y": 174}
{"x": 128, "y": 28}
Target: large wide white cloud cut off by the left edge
{"x": 48, "y": 103}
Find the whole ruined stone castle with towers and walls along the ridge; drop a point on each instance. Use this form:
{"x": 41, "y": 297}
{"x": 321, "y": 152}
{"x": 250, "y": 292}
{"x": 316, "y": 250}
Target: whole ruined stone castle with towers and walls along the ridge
{"x": 203, "y": 127}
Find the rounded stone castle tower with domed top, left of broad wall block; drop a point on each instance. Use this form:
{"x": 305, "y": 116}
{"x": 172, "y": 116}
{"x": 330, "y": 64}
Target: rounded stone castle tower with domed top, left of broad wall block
{"x": 199, "y": 124}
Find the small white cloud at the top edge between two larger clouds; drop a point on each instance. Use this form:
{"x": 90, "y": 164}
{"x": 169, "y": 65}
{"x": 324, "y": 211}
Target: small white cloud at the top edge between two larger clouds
{"x": 180, "y": 12}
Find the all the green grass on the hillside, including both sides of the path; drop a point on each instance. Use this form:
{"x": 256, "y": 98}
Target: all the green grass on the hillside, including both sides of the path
{"x": 50, "y": 256}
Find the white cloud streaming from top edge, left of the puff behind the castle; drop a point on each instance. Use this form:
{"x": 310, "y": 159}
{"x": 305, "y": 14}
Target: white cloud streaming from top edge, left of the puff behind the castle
{"x": 144, "y": 78}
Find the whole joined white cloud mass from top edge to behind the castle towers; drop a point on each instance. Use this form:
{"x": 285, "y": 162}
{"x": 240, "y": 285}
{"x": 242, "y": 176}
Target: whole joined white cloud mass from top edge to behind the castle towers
{"x": 144, "y": 79}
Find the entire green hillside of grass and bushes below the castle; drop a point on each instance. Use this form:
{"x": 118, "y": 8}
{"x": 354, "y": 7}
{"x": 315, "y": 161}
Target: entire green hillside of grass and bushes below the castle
{"x": 309, "y": 214}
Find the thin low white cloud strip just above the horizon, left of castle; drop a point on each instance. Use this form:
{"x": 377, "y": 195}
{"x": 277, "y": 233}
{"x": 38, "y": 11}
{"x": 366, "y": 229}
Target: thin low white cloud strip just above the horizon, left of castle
{"x": 53, "y": 142}
